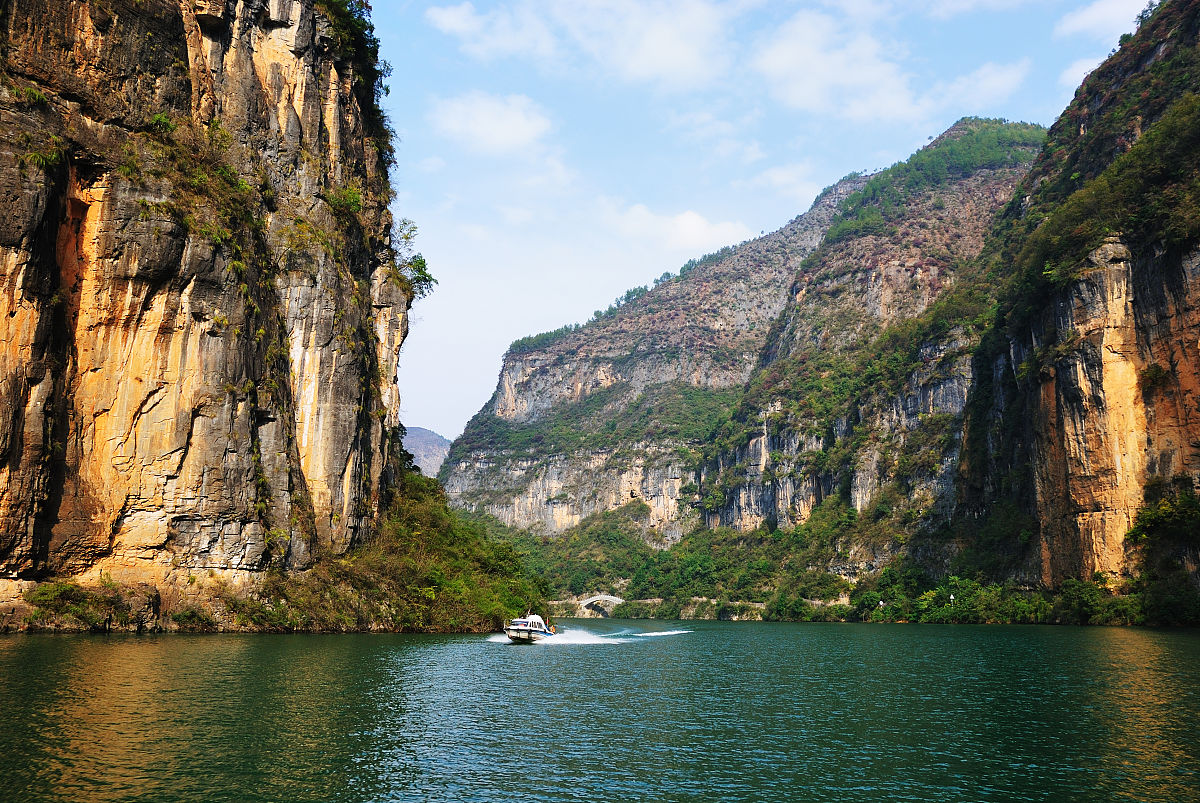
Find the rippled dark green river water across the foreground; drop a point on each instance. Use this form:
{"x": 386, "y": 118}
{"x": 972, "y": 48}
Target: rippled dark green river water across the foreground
{"x": 608, "y": 711}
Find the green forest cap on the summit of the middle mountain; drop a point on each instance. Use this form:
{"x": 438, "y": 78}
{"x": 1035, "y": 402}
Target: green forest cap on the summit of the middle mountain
{"x": 977, "y": 146}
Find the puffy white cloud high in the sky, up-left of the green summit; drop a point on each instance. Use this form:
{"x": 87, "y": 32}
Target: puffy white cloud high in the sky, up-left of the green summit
{"x": 813, "y": 64}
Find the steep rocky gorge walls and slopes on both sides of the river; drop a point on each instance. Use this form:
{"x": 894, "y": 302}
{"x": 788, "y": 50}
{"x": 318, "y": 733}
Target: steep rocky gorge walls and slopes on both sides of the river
{"x": 975, "y": 367}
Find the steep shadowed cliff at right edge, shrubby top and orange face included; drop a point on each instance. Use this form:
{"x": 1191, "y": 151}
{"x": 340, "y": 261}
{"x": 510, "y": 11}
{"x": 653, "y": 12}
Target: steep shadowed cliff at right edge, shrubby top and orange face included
{"x": 1087, "y": 387}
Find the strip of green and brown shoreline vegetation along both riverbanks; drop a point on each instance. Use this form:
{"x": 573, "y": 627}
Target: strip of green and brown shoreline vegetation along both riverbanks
{"x": 433, "y": 570}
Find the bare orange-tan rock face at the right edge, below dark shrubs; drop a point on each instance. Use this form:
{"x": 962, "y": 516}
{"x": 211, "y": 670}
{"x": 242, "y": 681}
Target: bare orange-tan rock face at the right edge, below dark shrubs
{"x": 1119, "y": 409}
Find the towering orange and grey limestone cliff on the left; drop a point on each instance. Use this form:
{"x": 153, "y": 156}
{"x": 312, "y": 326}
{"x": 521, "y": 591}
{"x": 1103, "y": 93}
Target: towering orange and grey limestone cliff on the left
{"x": 200, "y": 331}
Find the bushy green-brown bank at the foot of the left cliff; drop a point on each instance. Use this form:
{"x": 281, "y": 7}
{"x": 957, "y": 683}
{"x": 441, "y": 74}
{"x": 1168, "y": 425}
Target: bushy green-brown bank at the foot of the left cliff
{"x": 429, "y": 570}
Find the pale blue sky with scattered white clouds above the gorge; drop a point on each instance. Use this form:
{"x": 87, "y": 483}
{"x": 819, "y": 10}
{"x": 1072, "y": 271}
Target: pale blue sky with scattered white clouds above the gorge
{"x": 555, "y": 154}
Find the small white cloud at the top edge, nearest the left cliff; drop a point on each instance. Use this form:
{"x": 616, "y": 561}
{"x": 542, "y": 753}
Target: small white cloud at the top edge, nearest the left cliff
{"x": 500, "y": 33}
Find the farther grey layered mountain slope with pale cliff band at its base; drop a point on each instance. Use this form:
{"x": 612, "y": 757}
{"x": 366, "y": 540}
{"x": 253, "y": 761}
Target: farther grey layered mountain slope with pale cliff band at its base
{"x": 602, "y": 415}
